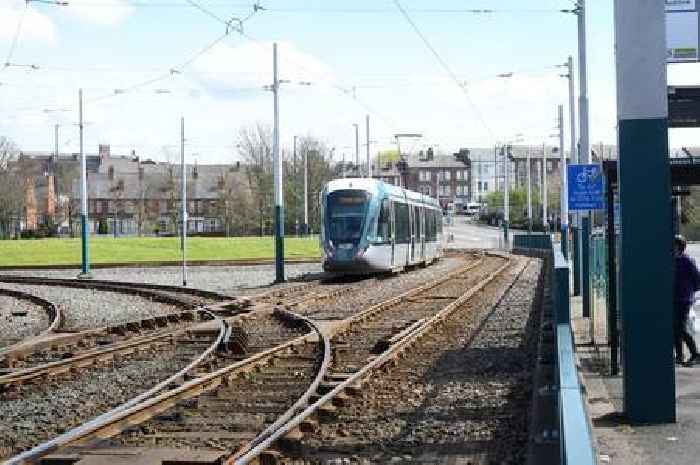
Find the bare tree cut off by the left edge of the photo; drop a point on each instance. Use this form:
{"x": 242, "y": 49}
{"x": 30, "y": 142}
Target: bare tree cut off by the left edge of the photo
{"x": 11, "y": 187}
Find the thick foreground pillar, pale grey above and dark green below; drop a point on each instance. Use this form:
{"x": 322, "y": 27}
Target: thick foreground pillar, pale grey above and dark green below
{"x": 646, "y": 261}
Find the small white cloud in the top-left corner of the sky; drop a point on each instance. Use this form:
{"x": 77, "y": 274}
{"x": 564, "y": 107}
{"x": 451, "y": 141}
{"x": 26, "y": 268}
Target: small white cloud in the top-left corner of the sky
{"x": 36, "y": 27}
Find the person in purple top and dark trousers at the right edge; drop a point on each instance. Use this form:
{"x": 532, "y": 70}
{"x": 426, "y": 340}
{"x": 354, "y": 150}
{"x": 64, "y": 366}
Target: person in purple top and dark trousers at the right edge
{"x": 686, "y": 282}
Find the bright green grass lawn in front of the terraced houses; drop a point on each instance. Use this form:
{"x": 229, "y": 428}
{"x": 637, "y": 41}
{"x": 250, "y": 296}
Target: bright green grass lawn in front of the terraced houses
{"x": 147, "y": 249}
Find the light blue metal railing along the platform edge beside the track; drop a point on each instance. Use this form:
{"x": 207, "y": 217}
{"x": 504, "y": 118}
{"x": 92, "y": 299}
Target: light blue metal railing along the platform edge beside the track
{"x": 576, "y": 442}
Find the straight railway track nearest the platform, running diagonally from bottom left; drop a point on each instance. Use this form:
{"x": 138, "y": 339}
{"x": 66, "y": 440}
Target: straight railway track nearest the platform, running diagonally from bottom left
{"x": 242, "y": 407}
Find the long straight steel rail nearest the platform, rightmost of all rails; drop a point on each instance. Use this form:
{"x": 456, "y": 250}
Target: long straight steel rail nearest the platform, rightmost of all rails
{"x": 394, "y": 350}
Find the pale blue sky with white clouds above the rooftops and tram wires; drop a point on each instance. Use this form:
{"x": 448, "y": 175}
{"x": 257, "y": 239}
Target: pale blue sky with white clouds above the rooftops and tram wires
{"x": 143, "y": 64}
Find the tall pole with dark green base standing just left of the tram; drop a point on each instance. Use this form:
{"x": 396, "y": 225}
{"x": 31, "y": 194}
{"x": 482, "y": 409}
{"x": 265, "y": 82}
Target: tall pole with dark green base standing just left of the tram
{"x": 279, "y": 200}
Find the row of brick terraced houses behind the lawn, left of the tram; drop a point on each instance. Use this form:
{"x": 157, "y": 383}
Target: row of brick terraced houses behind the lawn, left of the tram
{"x": 128, "y": 194}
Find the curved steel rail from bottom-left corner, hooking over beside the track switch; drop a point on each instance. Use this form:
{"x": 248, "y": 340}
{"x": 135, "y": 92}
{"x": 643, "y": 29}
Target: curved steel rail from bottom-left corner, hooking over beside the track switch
{"x": 36, "y": 453}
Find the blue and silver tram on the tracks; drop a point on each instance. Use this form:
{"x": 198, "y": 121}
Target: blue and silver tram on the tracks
{"x": 370, "y": 226}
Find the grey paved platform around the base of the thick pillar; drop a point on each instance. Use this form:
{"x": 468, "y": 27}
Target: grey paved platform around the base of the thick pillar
{"x": 617, "y": 441}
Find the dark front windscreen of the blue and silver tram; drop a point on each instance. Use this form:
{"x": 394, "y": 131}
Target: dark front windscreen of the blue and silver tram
{"x": 345, "y": 216}
